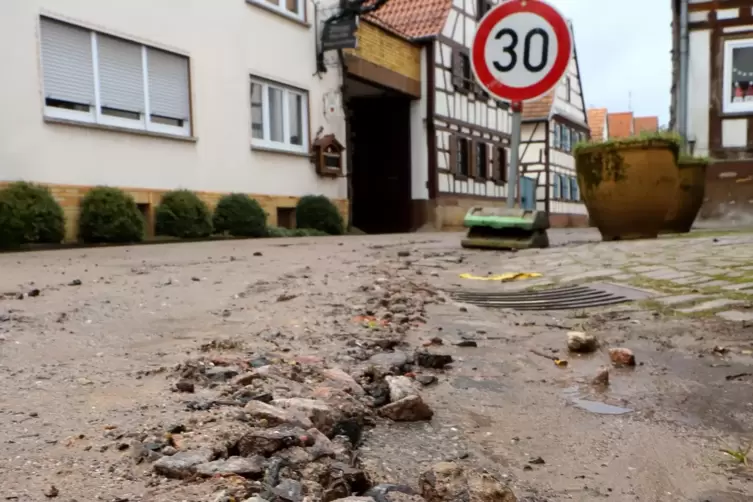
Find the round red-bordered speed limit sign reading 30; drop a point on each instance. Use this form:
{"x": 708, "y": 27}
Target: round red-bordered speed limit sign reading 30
{"x": 522, "y": 48}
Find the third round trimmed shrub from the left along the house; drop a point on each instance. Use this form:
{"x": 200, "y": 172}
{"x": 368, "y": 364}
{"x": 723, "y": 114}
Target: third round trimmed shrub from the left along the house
{"x": 181, "y": 213}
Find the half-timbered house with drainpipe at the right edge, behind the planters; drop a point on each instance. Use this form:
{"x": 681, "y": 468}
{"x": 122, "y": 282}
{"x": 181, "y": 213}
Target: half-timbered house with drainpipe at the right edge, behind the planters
{"x": 719, "y": 98}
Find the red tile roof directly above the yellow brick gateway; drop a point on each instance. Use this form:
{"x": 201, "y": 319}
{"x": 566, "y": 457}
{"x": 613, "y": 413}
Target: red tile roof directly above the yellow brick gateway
{"x": 413, "y": 18}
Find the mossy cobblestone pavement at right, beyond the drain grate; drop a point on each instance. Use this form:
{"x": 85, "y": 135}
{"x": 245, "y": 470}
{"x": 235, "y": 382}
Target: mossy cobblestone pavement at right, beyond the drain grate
{"x": 703, "y": 273}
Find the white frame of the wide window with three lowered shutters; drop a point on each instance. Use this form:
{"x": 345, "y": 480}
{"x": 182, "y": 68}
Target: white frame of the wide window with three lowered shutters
{"x": 95, "y": 115}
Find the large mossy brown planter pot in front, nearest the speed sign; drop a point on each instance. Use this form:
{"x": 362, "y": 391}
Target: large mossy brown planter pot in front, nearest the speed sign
{"x": 626, "y": 185}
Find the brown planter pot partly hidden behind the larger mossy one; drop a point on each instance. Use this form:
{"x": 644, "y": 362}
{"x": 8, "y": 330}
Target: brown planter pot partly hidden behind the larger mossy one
{"x": 688, "y": 196}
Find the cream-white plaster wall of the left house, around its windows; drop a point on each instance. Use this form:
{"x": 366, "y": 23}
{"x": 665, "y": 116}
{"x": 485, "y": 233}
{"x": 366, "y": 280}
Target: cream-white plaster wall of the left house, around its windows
{"x": 226, "y": 42}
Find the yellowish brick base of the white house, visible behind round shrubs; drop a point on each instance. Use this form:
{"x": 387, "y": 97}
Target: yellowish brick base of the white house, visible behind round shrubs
{"x": 69, "y": 197}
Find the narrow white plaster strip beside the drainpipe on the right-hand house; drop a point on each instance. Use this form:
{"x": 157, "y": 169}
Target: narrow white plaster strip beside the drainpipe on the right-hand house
{"x": 698, "y": 90}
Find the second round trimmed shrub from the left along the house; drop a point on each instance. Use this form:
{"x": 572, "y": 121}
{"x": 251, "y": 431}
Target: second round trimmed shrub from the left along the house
{"x": 109, "y": 215}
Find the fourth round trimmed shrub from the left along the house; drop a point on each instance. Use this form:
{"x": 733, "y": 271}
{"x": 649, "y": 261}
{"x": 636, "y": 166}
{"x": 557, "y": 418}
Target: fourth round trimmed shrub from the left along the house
{"x": 240, "y": 216}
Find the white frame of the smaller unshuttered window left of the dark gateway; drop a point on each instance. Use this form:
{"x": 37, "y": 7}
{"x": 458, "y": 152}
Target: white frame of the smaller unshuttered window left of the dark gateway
{"x": 283, "y": 146}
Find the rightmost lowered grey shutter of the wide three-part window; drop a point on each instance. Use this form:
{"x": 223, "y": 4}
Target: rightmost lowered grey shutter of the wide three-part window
{"x": 168, "y": 85}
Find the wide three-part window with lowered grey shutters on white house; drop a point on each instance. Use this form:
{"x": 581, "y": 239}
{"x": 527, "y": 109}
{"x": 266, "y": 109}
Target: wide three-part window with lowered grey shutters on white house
{"x": 96, "y": 78}
